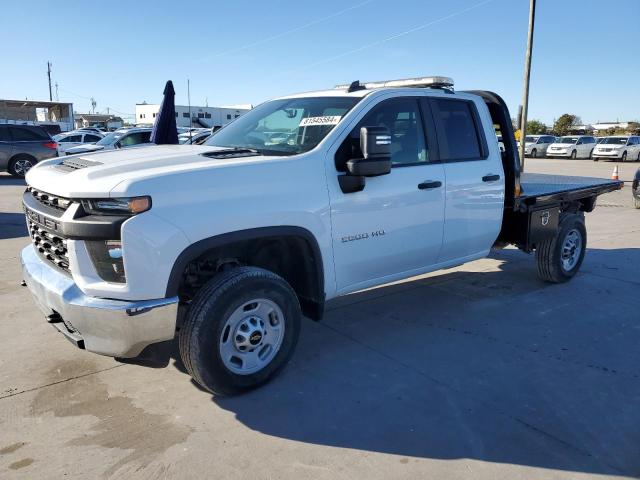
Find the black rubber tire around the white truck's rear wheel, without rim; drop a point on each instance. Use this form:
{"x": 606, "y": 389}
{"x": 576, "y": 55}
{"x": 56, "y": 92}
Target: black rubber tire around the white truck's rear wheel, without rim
{"x": 549, "y": 253}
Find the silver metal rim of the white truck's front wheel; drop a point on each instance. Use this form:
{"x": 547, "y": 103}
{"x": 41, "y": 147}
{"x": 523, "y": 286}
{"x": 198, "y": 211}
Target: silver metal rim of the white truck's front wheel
{"x": 252, "y": 336}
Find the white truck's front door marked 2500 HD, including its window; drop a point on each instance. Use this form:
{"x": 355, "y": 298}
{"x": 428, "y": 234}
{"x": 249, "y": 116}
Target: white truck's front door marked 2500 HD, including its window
{"x": 393, "y": 227}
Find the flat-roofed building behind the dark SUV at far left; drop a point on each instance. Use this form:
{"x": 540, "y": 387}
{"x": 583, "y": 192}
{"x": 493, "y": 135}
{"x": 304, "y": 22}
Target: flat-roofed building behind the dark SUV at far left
{"x": 54, "y": 116}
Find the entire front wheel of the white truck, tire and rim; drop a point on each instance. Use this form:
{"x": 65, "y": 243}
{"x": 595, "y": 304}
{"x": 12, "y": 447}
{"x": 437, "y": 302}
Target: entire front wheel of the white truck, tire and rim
{"x": 240, "y": 330}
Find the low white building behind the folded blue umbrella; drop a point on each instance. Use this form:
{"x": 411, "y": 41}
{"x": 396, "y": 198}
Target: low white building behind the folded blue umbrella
{"x": 206, "y": 117}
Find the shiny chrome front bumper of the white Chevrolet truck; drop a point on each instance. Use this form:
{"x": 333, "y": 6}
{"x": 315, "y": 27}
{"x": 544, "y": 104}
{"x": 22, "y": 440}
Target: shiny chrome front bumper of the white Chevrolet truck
{"x": 109, "y": 327}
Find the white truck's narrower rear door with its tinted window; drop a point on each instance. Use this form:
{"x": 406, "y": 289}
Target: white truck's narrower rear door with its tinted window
{"x": 474, "y": 199}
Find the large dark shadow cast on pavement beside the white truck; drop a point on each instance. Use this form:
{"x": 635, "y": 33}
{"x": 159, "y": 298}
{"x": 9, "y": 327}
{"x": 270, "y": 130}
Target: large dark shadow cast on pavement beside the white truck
{"x": 490, "y": 365}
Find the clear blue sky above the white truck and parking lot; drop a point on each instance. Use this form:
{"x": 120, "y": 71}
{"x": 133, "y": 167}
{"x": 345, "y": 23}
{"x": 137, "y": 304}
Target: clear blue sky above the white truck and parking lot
{"x": 586, "y": 52}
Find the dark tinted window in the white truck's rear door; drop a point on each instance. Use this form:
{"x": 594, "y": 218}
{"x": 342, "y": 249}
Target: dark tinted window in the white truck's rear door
{"x": 458, "y": 135}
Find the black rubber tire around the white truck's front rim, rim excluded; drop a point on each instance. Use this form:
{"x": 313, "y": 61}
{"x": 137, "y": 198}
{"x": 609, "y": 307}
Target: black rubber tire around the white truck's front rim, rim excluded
{"x": 202, "y": 330}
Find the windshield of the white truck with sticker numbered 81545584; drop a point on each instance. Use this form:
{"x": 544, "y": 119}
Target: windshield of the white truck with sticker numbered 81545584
{"x": 284, "y": 127}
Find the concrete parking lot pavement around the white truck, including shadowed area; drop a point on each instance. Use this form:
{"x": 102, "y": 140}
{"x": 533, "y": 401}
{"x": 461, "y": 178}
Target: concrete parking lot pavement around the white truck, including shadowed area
{"x": 476, "y": 372}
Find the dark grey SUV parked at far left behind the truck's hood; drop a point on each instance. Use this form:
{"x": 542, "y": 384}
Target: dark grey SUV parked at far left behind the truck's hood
{"x": 22, "y": 146}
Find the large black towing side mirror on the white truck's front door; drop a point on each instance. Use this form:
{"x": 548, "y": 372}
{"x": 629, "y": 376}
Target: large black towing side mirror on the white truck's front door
{"x": 375, "y": 143}
